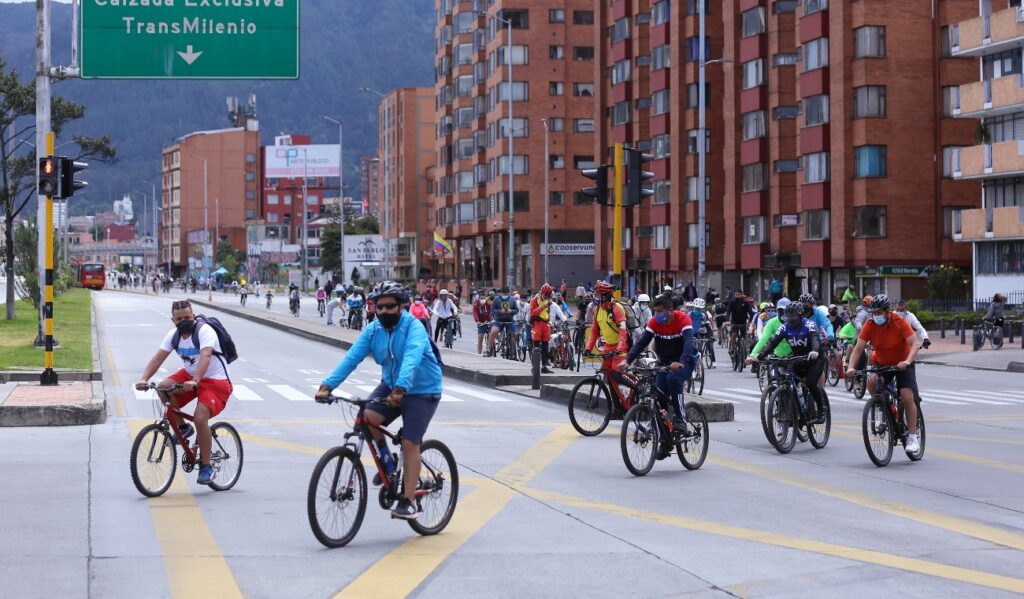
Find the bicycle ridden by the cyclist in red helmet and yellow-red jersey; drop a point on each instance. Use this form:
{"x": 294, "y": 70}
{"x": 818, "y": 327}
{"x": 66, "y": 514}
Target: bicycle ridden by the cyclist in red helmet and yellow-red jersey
{"x": 596, "y": 399}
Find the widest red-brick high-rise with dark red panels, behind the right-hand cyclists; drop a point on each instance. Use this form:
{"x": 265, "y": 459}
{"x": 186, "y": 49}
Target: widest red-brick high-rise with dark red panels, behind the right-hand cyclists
{"x": 829, "y": 149}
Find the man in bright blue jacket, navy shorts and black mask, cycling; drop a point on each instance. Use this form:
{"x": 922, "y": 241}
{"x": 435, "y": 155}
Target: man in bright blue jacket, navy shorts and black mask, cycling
{"x": 411, "y": 381}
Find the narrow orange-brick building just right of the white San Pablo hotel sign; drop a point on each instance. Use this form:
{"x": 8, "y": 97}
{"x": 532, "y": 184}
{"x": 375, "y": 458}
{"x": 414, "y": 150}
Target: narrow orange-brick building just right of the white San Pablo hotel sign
{"x": 407, "y": 152}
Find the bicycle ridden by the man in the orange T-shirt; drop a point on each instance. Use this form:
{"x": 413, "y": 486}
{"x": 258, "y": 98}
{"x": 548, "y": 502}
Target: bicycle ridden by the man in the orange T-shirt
{"x": 883, "y": 422}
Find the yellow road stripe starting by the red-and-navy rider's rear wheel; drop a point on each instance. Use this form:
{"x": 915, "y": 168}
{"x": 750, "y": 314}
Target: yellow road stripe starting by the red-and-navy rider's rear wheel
{"x": 952, "y": 524}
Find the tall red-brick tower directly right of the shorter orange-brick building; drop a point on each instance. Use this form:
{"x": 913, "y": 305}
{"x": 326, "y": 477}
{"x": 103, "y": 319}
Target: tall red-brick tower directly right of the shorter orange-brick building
{"x": 553, "y": 115}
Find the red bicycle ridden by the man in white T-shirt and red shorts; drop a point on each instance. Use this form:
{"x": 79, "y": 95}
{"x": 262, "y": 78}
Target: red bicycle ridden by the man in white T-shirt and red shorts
{"x": 154, "y": 455}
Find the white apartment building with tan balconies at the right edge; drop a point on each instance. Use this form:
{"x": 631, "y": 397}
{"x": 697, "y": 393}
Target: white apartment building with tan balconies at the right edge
{"x": 992, "y": 37}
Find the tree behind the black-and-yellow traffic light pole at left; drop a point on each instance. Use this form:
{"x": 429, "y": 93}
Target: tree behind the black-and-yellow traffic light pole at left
{"x": 18, "y": 160}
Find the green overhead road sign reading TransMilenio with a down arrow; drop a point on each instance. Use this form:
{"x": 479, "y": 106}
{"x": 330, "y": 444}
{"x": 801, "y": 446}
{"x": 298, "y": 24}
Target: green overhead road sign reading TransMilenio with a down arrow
{"x": 190, "y": 39}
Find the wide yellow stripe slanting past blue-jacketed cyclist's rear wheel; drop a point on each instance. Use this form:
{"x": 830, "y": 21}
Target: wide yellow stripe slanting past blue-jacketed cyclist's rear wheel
{"x": 405, "y": 569}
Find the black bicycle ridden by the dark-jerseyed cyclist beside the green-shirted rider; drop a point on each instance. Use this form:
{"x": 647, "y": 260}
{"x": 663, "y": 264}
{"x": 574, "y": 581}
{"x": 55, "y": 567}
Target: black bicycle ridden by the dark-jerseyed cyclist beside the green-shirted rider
{"x": 783, "y": 414}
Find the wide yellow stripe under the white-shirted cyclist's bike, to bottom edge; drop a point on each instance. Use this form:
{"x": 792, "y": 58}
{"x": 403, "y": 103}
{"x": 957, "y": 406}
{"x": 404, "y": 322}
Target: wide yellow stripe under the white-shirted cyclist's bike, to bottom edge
{"x": 195, "y": 565}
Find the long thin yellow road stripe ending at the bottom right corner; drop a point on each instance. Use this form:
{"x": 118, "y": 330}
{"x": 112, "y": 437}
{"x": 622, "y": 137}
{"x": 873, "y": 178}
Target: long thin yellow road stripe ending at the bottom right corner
{"x": 871, "y": 557}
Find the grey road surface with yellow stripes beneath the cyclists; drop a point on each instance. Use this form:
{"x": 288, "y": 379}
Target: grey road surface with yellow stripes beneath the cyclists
{"x": 543, "y": 511}
